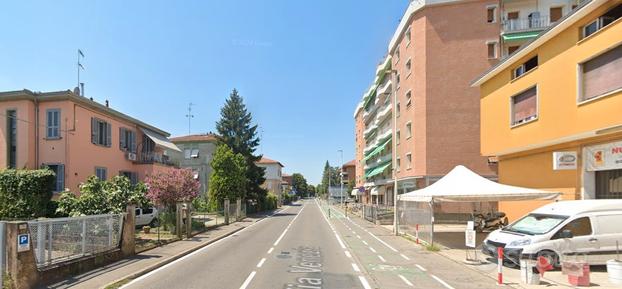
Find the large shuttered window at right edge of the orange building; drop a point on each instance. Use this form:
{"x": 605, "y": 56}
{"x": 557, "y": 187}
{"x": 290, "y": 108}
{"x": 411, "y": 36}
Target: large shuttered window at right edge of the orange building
{"x": 601, "y": 75}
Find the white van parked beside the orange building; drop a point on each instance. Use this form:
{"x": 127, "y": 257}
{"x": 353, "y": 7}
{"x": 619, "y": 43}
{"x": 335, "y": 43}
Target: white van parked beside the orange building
{"x": 584, "y": 230}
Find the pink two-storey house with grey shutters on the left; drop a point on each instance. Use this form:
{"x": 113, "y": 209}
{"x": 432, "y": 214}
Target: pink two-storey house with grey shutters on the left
{"x": 77, "y": 137}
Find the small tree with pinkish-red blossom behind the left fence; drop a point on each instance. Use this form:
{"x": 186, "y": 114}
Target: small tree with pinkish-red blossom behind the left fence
{"x": 168, "y": 187}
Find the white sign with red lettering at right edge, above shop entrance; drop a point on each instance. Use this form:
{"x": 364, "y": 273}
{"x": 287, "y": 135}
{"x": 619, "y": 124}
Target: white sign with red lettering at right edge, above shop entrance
{"x": 604, "y": 157}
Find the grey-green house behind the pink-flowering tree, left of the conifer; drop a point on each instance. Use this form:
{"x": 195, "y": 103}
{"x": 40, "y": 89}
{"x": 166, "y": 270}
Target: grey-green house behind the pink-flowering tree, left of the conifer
{"x": 196, "y": 154}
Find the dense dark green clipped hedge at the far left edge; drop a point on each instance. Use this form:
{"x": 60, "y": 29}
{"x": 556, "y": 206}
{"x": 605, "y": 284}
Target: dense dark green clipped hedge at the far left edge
{"x": 25, "y": 194}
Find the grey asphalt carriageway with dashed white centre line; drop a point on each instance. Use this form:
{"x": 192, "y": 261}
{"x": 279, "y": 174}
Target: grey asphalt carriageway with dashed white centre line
{"x": 295, "y": 248}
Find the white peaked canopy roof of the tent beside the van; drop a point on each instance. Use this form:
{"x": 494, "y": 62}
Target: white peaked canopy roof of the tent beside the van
{"x": 463, "y": 185}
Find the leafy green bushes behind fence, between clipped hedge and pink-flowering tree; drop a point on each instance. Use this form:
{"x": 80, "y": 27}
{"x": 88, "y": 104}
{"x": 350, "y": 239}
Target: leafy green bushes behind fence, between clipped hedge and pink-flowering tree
{"x": 102, "y": 197}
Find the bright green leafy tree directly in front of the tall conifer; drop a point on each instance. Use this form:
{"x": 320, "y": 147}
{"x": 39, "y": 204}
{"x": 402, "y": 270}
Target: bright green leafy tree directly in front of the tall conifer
{"x": 228, "y": 178}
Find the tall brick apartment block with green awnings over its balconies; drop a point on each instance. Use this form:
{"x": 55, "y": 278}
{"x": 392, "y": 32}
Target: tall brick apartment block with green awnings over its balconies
{"x": 423, "y": 85}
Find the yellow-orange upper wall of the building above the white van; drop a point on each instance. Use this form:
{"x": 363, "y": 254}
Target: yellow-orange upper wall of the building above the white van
{"x": 556, "y": 77}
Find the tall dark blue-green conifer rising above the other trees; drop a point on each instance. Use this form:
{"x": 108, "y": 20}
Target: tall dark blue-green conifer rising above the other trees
{"x": 235, "y": 129}
